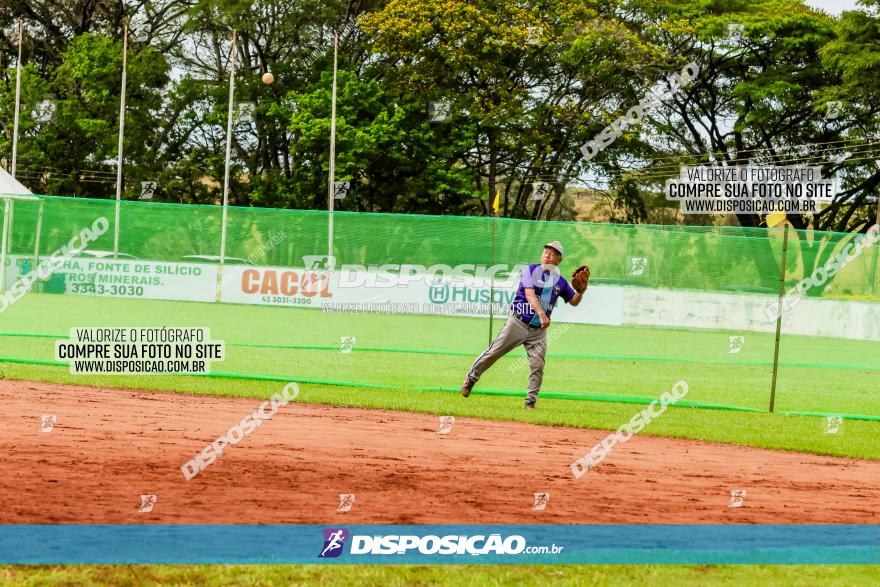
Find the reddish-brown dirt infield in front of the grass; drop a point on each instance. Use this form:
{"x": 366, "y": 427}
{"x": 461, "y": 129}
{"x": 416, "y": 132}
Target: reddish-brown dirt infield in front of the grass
{"x": 109, "y": 446}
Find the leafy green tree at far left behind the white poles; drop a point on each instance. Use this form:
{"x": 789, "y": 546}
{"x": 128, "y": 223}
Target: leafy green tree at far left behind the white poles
{"x": 81, "y": 137}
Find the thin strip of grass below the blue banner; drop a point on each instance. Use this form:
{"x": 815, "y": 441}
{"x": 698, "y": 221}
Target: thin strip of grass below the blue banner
{"x": 478, "y": 576}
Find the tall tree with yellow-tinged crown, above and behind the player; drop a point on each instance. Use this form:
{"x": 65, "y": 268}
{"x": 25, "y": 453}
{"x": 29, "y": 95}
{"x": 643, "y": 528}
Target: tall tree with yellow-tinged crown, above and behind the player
{"x": 523, "y": 77}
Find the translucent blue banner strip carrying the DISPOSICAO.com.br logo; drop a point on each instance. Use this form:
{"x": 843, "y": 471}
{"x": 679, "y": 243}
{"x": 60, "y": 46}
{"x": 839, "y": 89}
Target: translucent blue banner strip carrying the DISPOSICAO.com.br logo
{"x": 440, "y": 544}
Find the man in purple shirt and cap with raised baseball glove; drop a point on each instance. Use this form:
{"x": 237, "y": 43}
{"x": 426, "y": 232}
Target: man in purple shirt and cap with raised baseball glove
{"x": 540, "y": 287}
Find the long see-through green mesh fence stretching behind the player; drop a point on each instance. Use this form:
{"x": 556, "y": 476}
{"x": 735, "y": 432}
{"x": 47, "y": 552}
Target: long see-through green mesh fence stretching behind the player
{"x": 675, "y": 303}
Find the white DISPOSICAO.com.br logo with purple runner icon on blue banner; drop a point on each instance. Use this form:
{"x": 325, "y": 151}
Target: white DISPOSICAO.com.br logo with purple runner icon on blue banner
{"x": 431, "y": 544}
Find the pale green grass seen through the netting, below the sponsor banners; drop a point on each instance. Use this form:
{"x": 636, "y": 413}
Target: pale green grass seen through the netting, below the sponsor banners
{"x": 422, "y": 352}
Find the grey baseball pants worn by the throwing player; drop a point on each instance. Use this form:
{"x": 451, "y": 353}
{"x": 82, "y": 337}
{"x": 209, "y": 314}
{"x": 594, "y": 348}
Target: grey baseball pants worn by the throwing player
{"x": 513, "y": 334}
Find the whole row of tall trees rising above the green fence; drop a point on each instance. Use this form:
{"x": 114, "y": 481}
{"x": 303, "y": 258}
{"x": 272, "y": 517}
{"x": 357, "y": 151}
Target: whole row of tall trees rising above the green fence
{"x": 442, "y": 105}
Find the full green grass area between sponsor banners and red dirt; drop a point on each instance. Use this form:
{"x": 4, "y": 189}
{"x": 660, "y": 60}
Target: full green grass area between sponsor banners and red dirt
{"x": 416, "y": 363}
